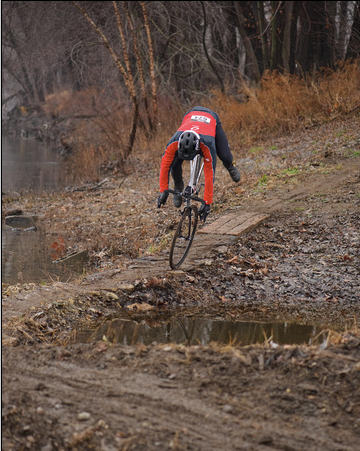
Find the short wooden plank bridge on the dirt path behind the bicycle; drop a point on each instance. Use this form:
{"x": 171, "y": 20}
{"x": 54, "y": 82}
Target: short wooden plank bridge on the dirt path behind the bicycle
{"x": 234, "y": 223}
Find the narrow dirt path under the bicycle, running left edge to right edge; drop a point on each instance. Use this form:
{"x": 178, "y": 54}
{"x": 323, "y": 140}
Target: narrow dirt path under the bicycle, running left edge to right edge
{"x": 326, "y": 193}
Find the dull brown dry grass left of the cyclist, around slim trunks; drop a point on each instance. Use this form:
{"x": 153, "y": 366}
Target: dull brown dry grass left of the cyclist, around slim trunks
{"x": 100, "y": 142}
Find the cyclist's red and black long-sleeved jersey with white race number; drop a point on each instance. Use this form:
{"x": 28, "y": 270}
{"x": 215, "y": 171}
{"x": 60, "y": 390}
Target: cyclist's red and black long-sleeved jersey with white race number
{"x": 203, "y": 121}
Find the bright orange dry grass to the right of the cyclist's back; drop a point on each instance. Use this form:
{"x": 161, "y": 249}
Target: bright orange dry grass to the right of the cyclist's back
{"x": 283, "y": 102}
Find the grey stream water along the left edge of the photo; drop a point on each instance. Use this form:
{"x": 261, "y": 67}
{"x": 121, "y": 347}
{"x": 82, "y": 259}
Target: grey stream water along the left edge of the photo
{"x": 29, "y": 166}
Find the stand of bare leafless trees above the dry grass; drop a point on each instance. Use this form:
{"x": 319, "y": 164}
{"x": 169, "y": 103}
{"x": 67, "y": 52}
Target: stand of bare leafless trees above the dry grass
{"x": 176, "y": 50}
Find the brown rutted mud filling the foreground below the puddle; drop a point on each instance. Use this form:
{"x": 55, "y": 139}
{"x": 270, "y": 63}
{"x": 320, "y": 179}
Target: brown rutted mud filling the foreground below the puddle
{"x": 109, "y": 397}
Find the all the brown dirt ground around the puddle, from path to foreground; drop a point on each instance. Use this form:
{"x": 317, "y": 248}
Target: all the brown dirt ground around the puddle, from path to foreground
{"x": 300, "y": 263}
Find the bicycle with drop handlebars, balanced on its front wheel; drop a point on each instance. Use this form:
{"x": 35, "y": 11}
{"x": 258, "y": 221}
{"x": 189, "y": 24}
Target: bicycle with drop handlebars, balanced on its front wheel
{"x": 185, "y": 231}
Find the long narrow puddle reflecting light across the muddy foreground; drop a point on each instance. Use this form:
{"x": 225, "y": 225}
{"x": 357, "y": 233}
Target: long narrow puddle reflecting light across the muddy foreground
{"x": 193, "y": 331}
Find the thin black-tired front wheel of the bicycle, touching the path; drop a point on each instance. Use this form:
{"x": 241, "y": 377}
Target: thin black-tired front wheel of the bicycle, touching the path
{"x": 184, "y": 236}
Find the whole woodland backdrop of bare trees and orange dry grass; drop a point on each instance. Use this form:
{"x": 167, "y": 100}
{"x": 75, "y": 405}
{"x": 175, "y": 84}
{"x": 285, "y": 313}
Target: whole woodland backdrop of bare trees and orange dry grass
{"x": 100, "y": 81}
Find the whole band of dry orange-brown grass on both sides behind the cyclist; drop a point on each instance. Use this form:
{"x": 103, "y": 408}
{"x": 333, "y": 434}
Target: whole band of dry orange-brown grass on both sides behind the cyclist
{"x": 282, "y": 103}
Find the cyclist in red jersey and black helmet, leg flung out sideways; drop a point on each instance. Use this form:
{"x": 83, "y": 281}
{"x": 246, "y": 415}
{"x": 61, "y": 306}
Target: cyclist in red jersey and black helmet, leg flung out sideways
{"x": 200, "y": 131}
